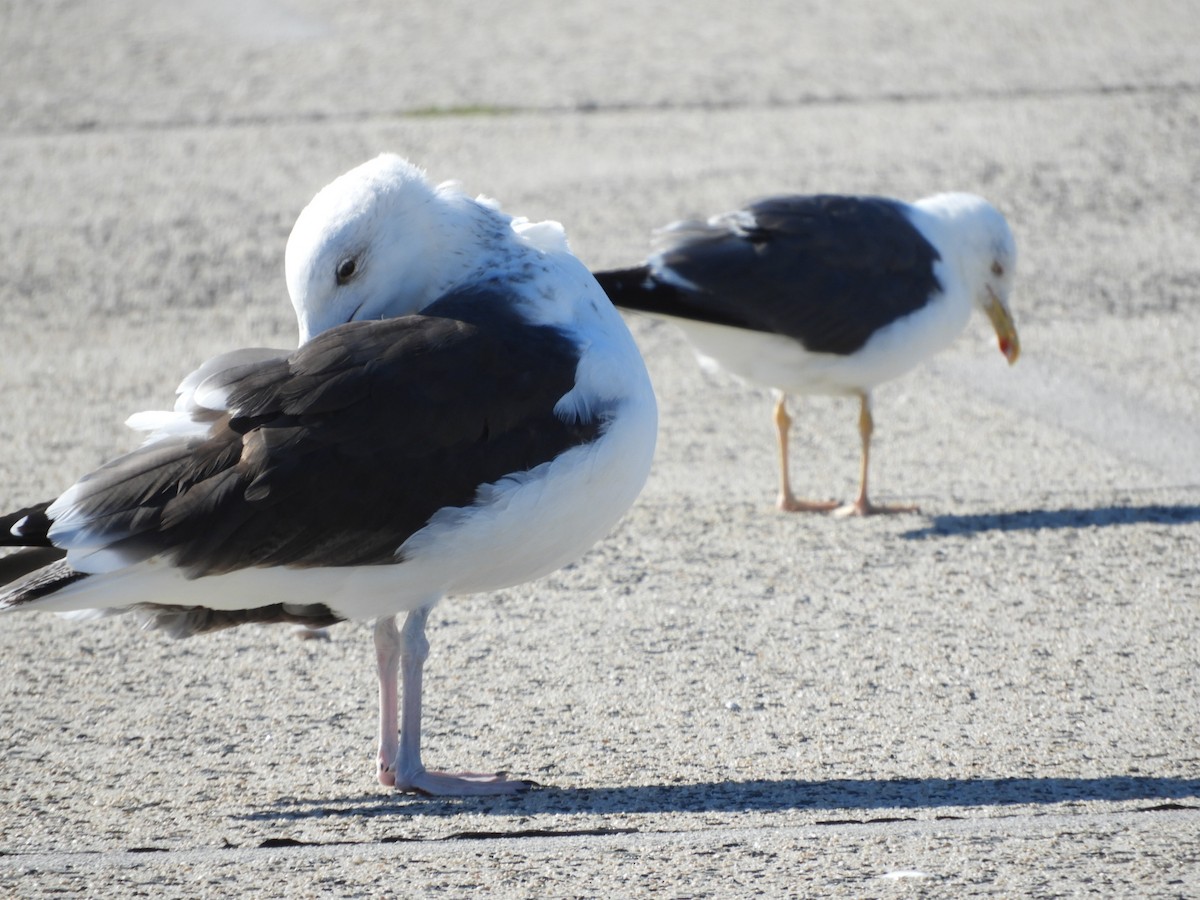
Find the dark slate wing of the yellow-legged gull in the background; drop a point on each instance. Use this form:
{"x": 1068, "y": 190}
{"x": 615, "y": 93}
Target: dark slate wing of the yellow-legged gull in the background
{"x": 825, "y": 271}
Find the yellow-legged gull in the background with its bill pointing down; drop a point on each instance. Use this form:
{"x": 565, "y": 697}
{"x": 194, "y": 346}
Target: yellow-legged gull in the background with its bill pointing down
{"x": 829, "y": 295}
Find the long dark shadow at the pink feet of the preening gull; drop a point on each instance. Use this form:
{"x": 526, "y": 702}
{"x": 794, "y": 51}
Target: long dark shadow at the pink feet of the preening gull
{"x": 884, "y": 797}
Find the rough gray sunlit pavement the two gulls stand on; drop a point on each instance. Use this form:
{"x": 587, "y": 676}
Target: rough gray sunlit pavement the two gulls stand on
{"x": 998, "y": 697}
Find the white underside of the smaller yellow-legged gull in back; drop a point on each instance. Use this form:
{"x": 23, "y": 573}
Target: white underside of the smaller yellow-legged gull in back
{"x": 777, "y": 362}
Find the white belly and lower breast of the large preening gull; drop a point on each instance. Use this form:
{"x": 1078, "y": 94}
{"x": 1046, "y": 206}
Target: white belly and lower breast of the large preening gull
{"x": 519, "y": 530}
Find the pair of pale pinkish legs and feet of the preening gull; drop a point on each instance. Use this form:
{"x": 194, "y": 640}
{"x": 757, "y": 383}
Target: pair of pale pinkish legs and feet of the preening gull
{"x": 400, "y": 764}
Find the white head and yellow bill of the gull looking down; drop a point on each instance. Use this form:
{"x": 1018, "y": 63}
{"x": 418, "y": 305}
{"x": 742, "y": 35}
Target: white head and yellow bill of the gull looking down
{"x": 986, "y": 256}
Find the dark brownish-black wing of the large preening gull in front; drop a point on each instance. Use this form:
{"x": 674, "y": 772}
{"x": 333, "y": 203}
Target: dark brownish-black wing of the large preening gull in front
{"x": 335, "y": 455}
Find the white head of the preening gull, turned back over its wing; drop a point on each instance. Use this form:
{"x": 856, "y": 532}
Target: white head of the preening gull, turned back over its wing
{"x": 376, "y": 243}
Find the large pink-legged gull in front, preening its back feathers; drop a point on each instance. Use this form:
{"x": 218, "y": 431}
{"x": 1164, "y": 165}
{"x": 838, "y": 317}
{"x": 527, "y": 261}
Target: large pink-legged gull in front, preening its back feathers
{"x": 466, "y": 412}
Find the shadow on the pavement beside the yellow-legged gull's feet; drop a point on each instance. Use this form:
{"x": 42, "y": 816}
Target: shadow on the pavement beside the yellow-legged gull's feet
{"x": 1053, "y": 519}
